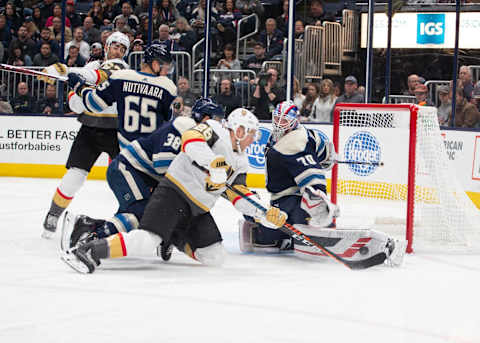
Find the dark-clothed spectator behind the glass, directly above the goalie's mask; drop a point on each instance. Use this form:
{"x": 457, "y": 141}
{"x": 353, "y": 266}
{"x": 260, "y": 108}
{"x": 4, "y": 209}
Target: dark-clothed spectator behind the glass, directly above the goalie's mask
{"x": 267, "y": 94}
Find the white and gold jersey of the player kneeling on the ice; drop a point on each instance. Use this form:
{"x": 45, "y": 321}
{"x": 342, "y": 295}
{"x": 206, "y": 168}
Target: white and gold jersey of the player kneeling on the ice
{"x": 201, "y": 145}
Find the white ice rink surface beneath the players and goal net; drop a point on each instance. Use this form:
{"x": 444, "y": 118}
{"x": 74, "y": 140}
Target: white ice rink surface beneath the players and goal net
{"x": 252, "y": 298}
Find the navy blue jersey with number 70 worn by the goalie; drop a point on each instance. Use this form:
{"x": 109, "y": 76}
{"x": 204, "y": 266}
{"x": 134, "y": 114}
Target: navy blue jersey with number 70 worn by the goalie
{"x": 293, "y": 163}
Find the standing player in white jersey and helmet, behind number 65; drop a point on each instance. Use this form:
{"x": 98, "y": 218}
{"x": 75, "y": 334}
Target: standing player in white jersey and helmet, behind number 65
{"x": 98, "y": 132}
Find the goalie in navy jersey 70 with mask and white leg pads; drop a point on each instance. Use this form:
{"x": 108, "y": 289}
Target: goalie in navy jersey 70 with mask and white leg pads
{"x": 296, "y": 159}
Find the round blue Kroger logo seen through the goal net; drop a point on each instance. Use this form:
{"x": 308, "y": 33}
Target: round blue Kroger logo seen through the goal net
{"x": 362, "y": 147}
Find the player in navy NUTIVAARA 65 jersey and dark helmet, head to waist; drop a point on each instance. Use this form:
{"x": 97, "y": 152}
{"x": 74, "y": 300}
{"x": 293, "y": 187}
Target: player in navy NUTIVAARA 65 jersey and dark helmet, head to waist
{"x": 143, "y": 97}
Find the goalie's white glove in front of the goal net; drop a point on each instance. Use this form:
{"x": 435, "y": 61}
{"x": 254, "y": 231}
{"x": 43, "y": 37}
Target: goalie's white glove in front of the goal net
{"x": 320, "y": 209}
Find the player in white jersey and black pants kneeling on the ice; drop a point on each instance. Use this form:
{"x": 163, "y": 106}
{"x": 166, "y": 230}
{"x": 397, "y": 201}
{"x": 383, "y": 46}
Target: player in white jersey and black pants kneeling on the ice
{"x": 179, "y": 209}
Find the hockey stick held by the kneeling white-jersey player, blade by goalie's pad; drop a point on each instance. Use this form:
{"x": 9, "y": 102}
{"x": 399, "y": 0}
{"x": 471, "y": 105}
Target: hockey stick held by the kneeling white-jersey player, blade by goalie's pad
{"x": 299, "y": 235}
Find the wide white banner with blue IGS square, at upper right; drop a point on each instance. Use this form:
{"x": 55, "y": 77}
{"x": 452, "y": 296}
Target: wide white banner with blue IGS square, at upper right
{"x": 423, "y": 30}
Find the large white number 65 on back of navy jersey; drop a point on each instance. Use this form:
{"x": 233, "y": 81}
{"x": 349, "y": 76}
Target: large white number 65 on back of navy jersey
{"x": 132, "y": 117}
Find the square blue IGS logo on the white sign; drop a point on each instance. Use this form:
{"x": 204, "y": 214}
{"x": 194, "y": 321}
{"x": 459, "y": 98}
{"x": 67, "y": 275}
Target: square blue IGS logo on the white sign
{"x": 431, "y": 28}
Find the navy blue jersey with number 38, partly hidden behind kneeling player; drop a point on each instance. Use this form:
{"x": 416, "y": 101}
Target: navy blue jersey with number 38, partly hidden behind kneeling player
{"x": 153, "y": 154}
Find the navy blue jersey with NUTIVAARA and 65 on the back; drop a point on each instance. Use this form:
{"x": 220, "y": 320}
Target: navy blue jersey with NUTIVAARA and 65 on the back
{"x": 143, "y": 102}
